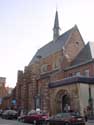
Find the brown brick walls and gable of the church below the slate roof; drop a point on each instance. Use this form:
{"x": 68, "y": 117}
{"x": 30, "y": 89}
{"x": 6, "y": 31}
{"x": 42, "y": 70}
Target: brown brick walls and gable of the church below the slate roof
{"x": 31, "y": 80}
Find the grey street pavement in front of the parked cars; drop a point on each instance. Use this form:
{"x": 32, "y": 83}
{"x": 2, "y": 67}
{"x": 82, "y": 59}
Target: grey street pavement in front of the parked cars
{"x": 15, "y": 122}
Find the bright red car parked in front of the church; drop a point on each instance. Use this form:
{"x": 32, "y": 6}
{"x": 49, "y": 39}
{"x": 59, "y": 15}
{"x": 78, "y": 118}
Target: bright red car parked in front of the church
{"x": 34, "y": 118}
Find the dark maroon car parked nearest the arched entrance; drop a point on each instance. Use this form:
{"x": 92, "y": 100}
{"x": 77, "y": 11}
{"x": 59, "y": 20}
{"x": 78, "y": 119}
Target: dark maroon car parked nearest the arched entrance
{"x": 66, "y": 118}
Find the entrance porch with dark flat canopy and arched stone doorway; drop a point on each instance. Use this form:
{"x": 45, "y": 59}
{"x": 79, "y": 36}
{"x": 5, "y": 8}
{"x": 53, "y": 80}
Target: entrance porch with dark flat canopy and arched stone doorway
{"x": 76, "y": 92}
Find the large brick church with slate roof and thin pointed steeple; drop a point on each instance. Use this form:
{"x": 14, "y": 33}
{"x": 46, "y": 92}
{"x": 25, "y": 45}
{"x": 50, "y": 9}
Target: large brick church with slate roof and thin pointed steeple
{"x": 60, "y": 73}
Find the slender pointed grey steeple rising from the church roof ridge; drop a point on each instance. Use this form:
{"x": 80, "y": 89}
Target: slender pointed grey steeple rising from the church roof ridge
{"x": 56, "y": 27}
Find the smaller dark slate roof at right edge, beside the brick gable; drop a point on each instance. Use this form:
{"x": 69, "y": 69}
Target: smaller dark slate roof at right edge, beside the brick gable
{"x": 86, "y": 54}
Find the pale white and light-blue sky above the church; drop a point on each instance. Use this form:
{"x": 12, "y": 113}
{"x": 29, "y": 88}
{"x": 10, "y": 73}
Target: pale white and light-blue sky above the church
{"x": 26, "y": 25}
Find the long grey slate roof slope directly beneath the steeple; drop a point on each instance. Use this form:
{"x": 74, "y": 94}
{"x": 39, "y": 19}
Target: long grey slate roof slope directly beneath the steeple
{"x": 54, "y": 46}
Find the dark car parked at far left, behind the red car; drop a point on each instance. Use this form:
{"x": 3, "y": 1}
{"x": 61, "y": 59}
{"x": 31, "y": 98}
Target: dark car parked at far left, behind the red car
{"x": 9, "y": 114}
